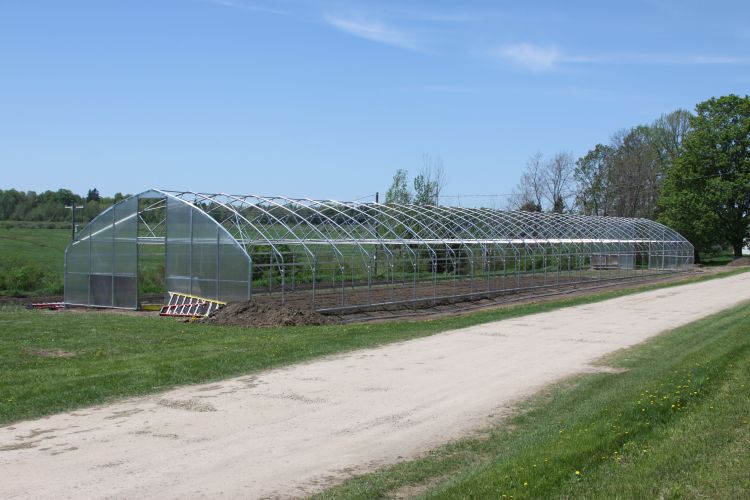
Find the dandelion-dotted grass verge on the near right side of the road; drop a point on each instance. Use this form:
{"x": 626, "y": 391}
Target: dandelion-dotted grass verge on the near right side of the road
{"x": 673, "y": 424}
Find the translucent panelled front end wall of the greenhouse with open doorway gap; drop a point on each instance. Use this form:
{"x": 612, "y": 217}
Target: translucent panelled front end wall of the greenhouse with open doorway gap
{"x": 200, "y": 257}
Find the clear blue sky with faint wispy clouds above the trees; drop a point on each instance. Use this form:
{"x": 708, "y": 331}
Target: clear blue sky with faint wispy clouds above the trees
{"x": 327, "y": 99}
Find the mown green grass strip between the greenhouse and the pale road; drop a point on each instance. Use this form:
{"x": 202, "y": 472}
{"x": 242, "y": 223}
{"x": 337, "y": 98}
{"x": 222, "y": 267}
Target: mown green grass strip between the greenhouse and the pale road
{"x": 52, "y": 362}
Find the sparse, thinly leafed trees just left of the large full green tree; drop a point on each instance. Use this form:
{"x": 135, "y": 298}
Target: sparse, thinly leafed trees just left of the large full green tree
{"x": 621, "y": 178}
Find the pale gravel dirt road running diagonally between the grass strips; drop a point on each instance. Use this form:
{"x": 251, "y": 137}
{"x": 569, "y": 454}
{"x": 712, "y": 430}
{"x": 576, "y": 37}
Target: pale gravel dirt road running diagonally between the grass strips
{"x": 291, "y": 431}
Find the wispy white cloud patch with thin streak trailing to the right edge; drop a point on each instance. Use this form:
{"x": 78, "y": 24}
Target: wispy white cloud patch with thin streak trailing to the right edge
{"x": 540, "y": 58}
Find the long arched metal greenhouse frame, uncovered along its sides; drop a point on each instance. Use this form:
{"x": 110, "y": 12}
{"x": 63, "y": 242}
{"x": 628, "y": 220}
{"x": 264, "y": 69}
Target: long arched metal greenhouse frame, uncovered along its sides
{"x": 337, "y": 256}
